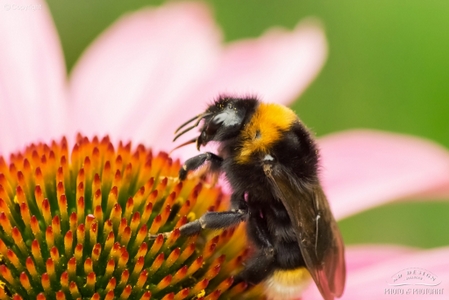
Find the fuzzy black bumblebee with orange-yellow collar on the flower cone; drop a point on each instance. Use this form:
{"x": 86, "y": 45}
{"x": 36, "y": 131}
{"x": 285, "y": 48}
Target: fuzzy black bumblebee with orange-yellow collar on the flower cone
{"x": 270, "y": 160}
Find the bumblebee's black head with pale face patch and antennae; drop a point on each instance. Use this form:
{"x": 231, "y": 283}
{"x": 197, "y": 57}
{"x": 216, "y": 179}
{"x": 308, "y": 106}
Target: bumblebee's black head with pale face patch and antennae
{"x": 222, "y": 120}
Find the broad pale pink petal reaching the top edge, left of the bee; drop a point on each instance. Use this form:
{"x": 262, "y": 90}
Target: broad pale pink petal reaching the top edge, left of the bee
{"x": 138, "y": 71}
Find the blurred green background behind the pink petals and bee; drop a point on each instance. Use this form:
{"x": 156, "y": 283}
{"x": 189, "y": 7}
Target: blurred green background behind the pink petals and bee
{"x": 387, "y": 69}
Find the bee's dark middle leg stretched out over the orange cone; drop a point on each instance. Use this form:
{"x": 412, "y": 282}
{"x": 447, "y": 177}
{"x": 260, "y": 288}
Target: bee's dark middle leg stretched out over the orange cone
{"x": 213, "y": 220}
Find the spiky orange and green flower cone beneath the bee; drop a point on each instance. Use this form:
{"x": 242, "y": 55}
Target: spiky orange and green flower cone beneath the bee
{"x": 75, "y": 225}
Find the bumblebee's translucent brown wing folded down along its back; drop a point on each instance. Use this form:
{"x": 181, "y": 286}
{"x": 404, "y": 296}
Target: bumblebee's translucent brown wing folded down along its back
{"x": 317, "y": 232}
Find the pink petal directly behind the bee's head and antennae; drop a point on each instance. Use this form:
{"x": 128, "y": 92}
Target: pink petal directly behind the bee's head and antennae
{"x": 276, "y": 67}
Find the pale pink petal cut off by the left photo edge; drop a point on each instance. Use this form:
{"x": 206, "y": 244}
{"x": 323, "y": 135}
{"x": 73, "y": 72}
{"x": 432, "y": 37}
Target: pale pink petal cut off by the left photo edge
{"x": 32, "y": 75}
